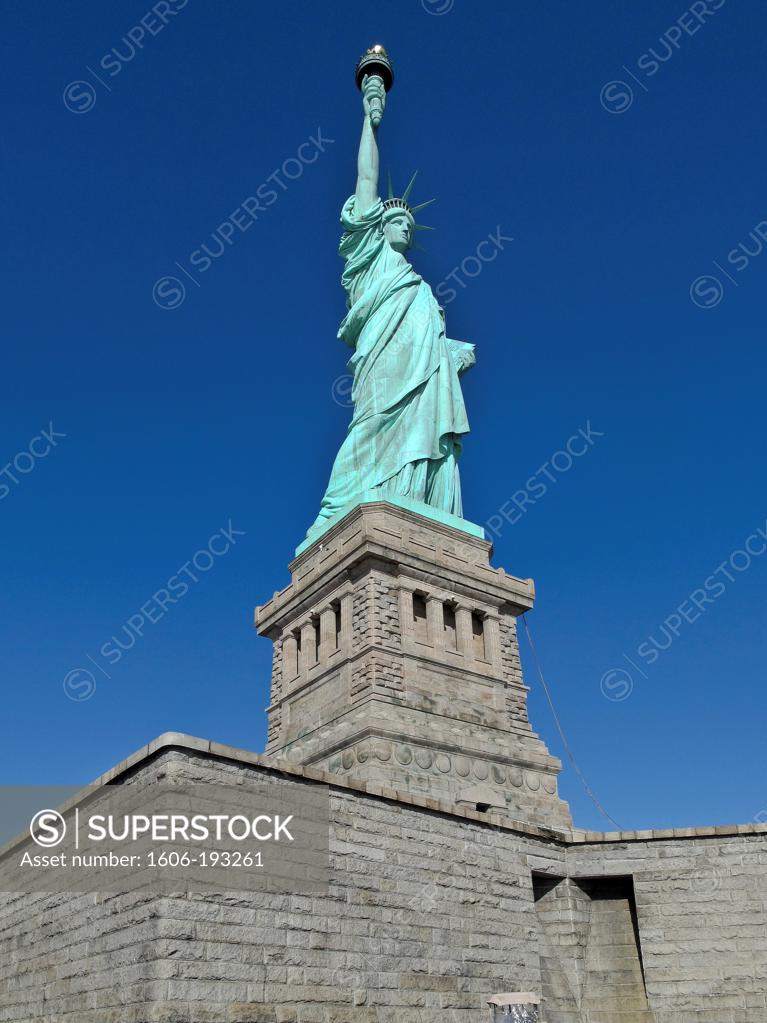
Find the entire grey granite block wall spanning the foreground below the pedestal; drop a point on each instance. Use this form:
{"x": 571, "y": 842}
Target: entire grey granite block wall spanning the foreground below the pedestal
{"x": 431, "y": 911}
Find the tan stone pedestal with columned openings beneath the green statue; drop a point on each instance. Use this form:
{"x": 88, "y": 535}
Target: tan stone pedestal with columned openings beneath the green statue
{"x": 396, "y": 661}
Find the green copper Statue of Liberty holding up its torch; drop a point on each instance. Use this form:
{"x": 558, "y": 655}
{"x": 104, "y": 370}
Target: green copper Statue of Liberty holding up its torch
{"x": 410, "y": 417}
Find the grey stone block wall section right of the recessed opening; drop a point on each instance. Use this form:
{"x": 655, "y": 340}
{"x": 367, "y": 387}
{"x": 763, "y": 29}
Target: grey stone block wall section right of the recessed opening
{"x": 702, "y": 911}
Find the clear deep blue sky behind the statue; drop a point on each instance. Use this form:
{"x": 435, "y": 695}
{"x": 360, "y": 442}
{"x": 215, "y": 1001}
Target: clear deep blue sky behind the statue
{"x": 181, "y": 421}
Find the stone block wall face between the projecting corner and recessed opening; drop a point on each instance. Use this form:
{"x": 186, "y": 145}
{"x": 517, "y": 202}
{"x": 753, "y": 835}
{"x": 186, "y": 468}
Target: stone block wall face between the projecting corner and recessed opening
{"x": 426, "y": 918}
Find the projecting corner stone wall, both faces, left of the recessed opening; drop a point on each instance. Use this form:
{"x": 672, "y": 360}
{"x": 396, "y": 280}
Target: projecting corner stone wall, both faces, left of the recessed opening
{"x": 428, "y": 915}
